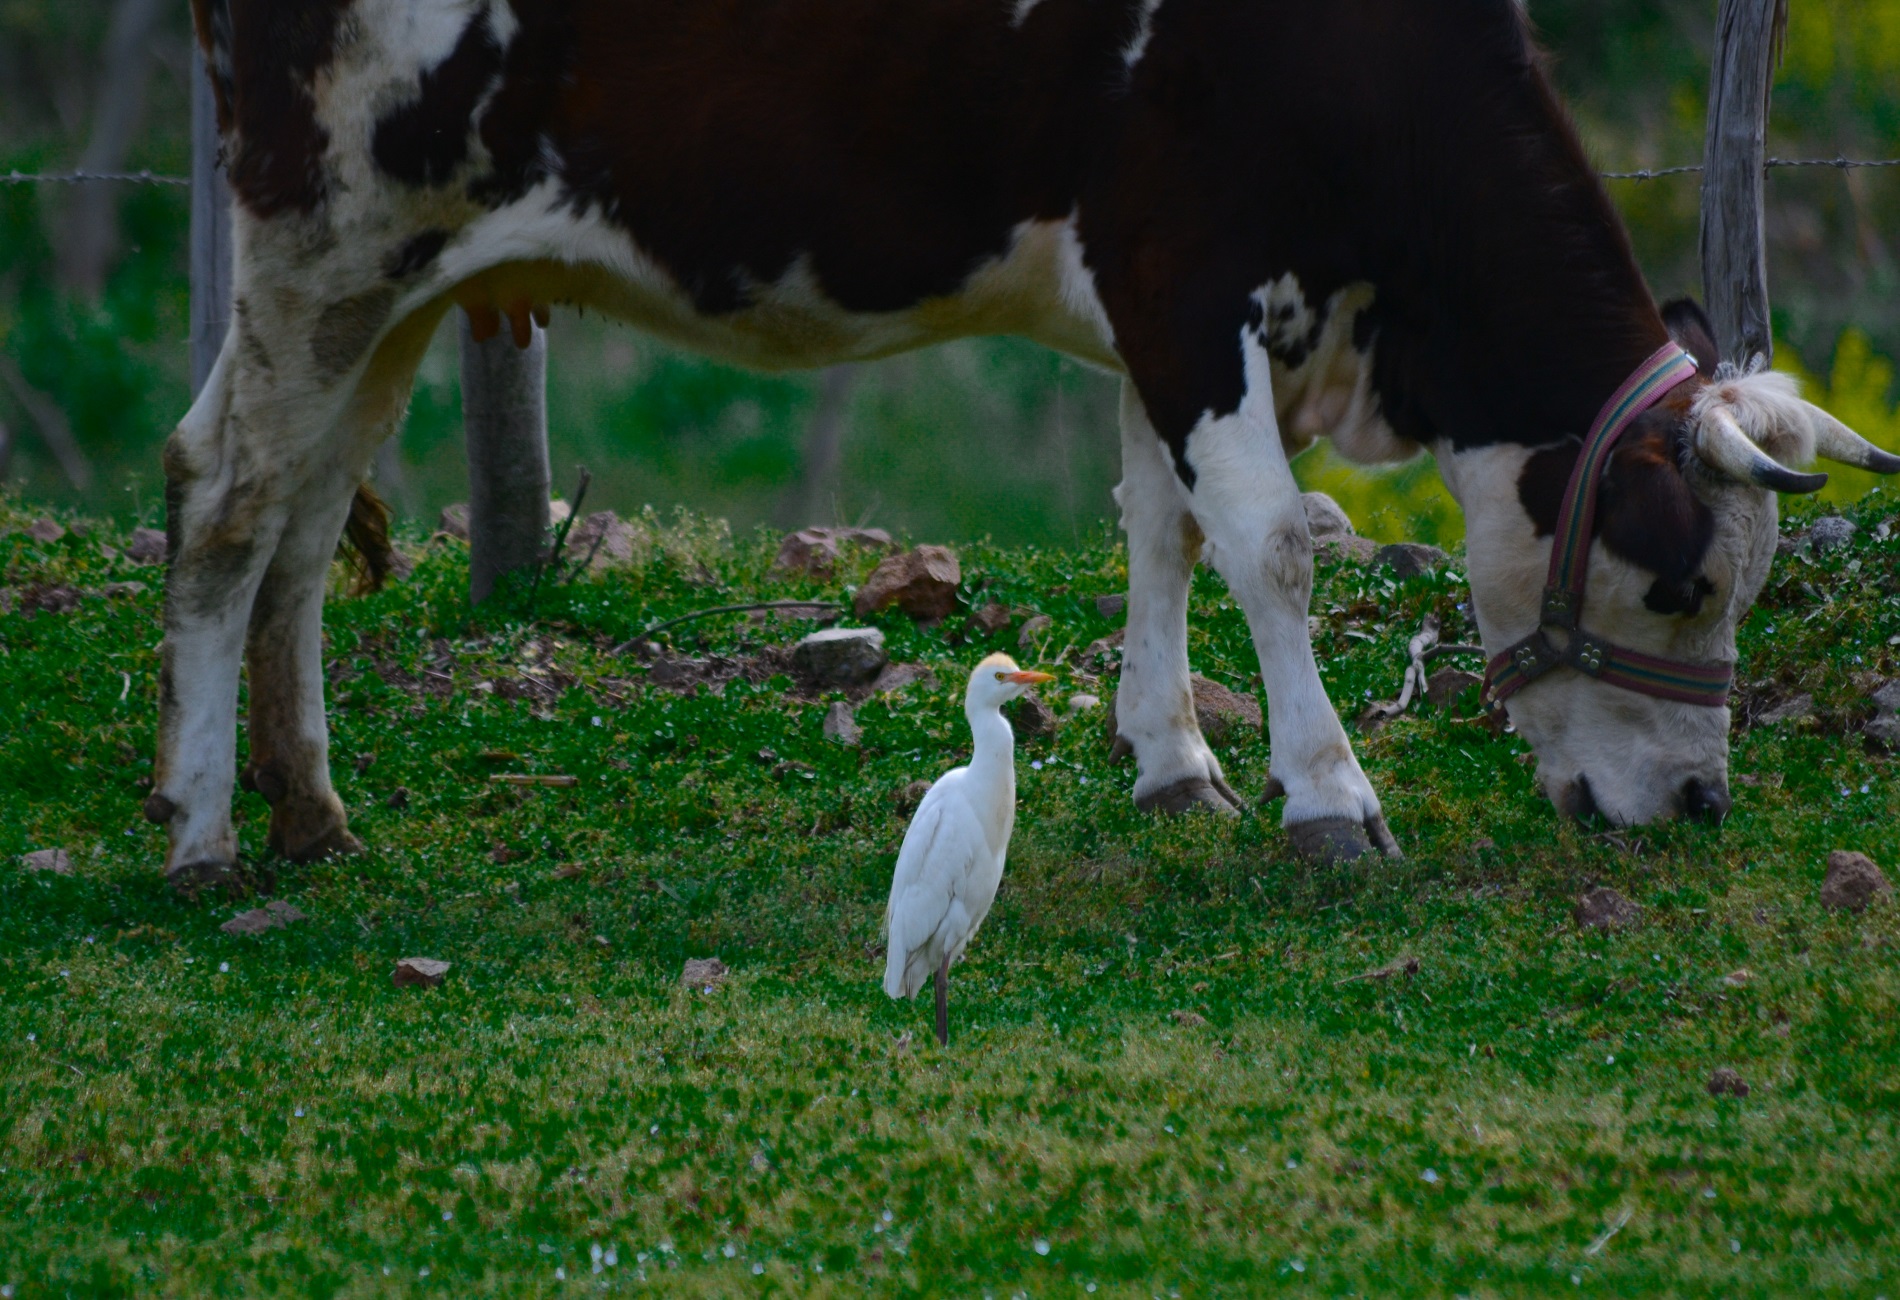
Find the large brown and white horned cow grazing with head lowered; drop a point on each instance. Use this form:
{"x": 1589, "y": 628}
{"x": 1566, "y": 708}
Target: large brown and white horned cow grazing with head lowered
{"x": 1280, "y": 221}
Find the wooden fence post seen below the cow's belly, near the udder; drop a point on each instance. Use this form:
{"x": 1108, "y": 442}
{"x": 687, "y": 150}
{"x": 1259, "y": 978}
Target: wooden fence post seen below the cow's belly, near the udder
{"x": 504, "y": 423}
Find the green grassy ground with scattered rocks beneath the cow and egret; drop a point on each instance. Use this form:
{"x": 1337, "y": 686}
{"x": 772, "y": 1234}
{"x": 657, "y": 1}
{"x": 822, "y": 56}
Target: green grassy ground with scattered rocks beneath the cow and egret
{"x": 1156, "y": 1080}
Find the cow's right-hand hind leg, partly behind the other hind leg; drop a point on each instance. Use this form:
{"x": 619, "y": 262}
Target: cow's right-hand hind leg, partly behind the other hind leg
{"x": 284, "y": 653}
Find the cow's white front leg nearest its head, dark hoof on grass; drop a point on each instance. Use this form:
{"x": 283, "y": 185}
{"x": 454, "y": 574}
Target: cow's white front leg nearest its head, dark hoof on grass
{"x": 1247, "y": 503}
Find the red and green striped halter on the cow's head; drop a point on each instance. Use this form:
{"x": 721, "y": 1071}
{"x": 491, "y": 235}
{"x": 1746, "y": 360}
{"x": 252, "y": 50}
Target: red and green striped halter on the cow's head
{"x": 1561, "y": 640}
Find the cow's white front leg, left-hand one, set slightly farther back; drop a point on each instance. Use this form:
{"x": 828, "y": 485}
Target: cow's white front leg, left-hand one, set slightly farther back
{"x": 1154, "y": 704}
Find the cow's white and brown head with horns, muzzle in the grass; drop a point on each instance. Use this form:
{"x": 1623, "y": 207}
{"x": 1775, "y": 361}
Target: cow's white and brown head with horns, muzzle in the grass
{"x": 1684, "y": 535}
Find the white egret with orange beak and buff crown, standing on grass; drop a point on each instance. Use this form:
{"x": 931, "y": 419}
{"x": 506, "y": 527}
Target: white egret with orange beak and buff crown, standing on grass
{"x": 953, "y": 856}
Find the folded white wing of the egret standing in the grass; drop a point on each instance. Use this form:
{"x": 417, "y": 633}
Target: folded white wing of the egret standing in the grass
{"x": 941, "y": 847}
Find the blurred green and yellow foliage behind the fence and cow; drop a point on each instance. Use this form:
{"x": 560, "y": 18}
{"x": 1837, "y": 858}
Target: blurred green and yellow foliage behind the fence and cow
{"x": 978, "y": 438}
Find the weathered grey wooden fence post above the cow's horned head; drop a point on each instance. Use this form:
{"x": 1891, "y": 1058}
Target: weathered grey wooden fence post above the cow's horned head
{"x": 1736, "y": 277}
